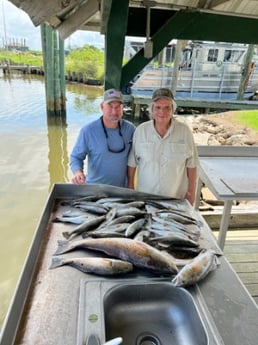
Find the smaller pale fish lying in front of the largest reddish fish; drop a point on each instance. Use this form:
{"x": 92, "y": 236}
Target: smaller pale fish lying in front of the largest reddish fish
{"x": 96, "y": 265}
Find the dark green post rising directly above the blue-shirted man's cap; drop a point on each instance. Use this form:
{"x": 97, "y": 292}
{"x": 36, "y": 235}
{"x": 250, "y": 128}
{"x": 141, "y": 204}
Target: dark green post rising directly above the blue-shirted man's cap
{"x": 114, "y": 43}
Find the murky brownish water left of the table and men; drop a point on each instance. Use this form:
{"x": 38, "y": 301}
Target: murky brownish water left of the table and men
{"x": 34, "y": 153}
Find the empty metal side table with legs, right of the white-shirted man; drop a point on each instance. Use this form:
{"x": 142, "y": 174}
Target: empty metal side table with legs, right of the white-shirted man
{"x": 230, "y": 173}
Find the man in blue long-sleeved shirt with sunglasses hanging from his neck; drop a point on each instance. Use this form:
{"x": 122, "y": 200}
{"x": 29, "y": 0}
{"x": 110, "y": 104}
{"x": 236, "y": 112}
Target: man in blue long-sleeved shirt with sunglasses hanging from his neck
{"x": 106, "y": 143}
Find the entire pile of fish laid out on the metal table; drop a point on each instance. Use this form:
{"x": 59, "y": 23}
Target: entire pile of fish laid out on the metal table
{"x": 156, "y": 235}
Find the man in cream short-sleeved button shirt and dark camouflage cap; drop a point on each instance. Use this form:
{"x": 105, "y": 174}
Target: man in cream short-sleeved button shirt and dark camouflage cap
{"x": 164, "y": 152}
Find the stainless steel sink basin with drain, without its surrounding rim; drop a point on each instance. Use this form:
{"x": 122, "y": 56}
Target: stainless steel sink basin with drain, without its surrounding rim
{"x": 153, "y": 314}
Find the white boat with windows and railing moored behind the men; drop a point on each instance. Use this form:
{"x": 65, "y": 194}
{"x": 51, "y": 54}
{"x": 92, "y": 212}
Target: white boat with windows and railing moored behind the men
{"x": 206, "y": 70}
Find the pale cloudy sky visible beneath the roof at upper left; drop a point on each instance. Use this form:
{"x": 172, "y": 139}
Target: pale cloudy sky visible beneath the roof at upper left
{"x": 16, "y": 26}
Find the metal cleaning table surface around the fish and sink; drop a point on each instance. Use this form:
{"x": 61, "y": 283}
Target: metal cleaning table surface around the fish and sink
{"x": 47, "y": 304}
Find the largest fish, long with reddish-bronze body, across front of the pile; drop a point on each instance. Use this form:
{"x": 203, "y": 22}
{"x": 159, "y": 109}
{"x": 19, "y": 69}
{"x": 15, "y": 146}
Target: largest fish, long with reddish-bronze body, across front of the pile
{"x": 138, "y": 253}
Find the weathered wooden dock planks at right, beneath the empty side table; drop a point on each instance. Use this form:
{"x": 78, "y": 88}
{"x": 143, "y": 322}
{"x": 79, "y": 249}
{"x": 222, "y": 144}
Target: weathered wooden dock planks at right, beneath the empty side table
{"x": 241, "y": 250}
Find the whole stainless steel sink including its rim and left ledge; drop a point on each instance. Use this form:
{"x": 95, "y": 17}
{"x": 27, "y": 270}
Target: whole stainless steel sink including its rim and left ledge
{"x": 143, "y": 312}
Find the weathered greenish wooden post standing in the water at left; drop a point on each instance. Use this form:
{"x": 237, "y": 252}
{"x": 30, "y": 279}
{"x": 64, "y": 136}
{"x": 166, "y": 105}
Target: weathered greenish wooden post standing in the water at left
{"x": 53, "y": 57}
